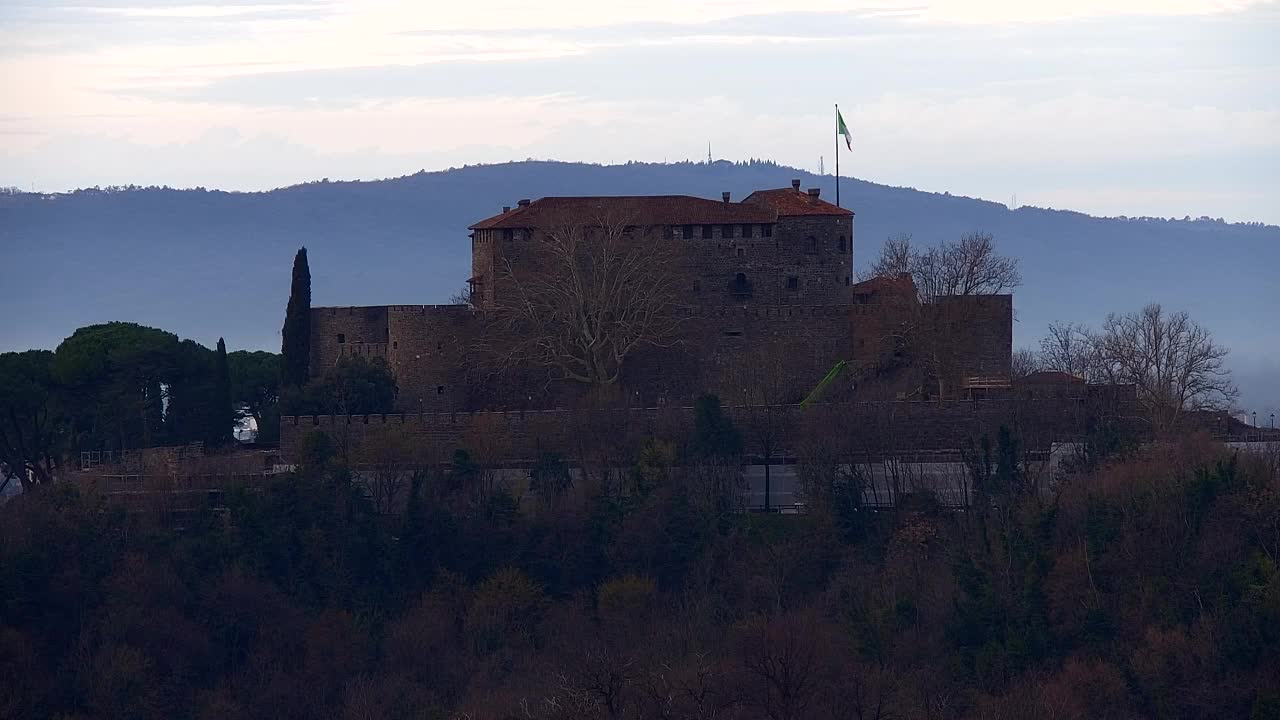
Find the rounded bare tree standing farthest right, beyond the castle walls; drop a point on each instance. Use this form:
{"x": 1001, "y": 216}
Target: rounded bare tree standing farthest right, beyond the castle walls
{"x": 1172, "y": 361}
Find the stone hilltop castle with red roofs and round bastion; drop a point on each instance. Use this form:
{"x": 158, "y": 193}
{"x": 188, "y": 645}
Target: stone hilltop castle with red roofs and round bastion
{"x": 764, "y": 281}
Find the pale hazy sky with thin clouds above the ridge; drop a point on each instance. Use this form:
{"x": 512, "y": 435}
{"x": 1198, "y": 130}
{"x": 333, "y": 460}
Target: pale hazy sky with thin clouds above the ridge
{"x": 1110, "y": 107}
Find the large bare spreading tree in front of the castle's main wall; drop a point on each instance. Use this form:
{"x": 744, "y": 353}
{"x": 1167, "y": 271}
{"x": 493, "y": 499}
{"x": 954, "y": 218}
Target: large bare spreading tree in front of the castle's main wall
{"x": 593, "y": 295}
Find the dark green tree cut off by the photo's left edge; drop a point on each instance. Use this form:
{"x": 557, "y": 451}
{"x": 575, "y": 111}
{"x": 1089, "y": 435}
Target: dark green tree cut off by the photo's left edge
{"x": 34, "y": 431}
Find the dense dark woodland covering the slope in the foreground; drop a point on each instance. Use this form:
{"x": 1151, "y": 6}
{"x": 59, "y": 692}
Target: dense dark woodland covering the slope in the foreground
{"x": 1144, "y": 586}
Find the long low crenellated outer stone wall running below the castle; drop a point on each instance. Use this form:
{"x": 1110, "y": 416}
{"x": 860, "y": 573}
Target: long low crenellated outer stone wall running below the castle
{"x": 874, "y": 429}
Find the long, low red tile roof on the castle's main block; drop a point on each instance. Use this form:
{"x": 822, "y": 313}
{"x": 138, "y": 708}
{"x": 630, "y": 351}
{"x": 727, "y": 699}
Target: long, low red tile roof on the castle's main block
{"x": 632, "y": 209}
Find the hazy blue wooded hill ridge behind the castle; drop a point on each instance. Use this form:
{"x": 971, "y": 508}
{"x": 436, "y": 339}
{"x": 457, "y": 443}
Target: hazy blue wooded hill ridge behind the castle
{"x": 209, "y": 263}
